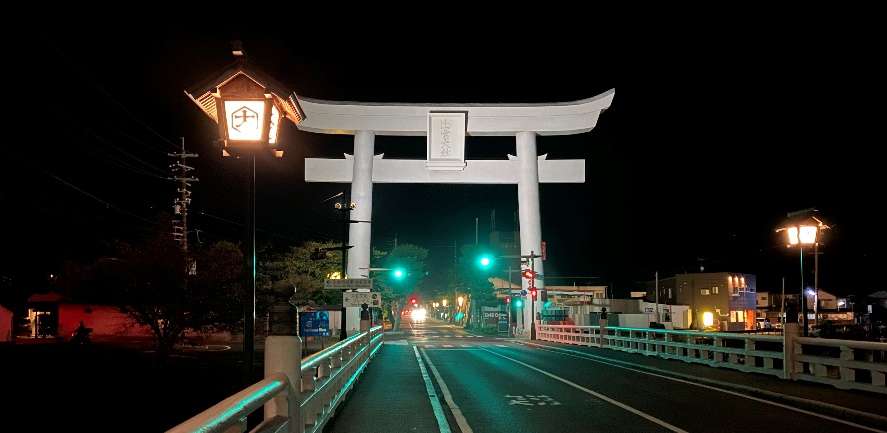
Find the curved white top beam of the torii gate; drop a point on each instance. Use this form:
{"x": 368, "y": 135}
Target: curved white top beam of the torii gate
{"x": 561, "y": 118}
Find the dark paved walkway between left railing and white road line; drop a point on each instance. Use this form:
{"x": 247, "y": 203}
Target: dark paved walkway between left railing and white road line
{"x": 389, "y": 397}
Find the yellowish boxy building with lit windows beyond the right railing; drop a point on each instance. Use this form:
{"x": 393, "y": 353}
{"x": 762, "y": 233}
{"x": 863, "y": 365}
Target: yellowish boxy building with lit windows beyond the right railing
{"x": 720, "y": 301}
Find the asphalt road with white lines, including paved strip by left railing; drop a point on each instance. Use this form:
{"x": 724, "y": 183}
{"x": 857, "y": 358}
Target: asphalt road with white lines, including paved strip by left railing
{"x": 435, "y": 377}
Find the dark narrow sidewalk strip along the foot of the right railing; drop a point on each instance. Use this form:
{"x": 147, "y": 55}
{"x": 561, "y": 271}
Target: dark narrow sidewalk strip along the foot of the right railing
{"x": 812, "y": 396}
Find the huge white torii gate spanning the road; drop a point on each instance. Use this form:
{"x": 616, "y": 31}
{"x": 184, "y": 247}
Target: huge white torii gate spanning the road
{"x": 445, "y": 127}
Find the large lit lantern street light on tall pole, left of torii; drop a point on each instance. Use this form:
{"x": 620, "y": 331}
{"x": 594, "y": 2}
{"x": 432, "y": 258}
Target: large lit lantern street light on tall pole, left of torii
{"x": 249, "y": 108}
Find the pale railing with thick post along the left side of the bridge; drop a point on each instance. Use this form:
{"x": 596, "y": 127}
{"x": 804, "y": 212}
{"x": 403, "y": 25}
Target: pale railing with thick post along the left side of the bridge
{"x": 298, "y": 395}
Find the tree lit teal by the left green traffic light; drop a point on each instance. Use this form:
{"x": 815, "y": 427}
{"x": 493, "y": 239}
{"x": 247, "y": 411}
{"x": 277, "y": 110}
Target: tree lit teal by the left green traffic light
{"x": 410, "y": 259}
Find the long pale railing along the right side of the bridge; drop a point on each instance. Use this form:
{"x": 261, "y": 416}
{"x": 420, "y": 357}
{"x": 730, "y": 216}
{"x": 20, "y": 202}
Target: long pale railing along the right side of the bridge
{"x": 844, "y": 364}
